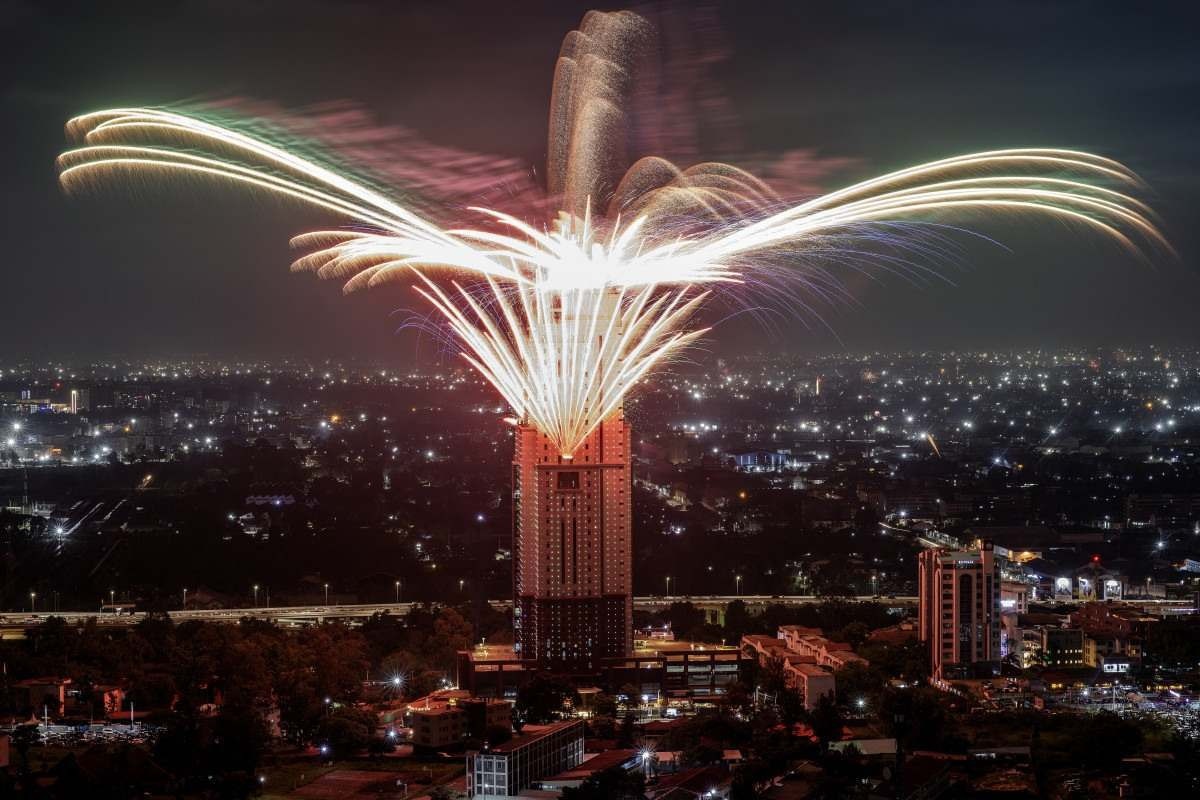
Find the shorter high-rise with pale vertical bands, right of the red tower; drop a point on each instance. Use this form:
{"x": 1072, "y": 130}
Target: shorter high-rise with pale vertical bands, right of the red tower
{"x": 959, "y": 611}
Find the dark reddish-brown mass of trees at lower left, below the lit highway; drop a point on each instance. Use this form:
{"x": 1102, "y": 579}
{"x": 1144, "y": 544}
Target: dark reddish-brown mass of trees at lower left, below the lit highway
{"x": 223, "y": 691}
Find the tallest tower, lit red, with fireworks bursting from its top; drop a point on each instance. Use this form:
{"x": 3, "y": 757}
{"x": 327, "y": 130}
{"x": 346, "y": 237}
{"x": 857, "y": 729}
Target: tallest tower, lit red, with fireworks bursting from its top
{"x": 572, "y": 551}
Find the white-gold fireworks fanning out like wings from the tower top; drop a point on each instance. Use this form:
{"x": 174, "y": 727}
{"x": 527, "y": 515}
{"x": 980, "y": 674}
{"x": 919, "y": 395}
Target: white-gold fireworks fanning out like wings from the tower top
{"x": 565, "y": 320}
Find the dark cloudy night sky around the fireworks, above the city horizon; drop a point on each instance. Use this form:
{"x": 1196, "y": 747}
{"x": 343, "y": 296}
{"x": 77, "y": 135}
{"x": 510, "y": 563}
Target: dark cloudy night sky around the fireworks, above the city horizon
{"x": 889, "y": 85}
